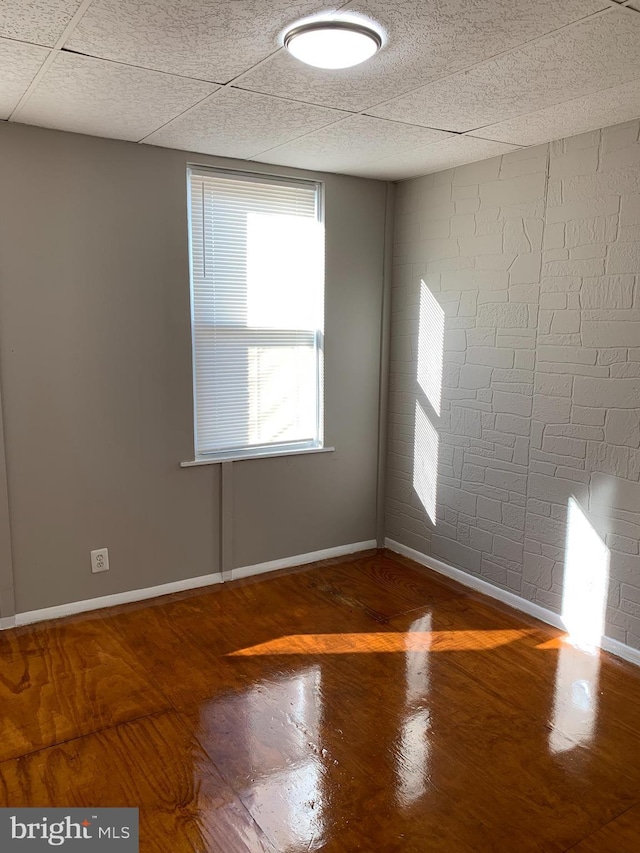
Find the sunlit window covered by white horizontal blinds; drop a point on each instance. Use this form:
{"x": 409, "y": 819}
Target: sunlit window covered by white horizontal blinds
{"x": 257, "y": 295}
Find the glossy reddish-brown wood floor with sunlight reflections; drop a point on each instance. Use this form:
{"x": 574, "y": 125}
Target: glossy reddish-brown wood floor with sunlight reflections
{"x": 358, "y": 705}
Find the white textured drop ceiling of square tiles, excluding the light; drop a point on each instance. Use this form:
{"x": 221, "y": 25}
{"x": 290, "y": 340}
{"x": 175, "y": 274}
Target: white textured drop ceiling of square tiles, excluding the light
{"x": 455, "y": 81}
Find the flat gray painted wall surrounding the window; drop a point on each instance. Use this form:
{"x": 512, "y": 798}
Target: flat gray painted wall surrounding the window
{"x": 95, "y": 371}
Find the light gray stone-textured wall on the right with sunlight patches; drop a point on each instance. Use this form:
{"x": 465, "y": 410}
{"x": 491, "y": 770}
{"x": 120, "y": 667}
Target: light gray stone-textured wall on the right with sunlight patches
{"x": 533, "y": 261}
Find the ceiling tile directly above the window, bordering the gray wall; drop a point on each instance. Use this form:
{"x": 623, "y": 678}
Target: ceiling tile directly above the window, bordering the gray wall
{"x": 233, "y": 123}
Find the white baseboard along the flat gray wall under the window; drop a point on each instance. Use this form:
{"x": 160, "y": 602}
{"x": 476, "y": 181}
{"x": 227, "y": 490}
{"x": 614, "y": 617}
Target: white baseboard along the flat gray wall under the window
{"x": 134, "y": 595}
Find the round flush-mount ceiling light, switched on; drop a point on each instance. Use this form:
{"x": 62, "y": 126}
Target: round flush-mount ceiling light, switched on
{"x": 332, "y": 44}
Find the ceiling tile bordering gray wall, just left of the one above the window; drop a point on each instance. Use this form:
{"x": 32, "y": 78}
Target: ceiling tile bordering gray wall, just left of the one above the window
{"x": 86, "y": 95}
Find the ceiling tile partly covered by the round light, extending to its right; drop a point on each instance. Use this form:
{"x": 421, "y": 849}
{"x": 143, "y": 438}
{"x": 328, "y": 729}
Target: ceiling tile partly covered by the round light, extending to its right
{"x": 427, "y": 38}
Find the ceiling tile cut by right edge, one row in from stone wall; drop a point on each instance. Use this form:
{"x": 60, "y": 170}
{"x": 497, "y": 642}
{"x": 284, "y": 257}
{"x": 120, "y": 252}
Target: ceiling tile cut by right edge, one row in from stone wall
{"x": 592, "y": 55}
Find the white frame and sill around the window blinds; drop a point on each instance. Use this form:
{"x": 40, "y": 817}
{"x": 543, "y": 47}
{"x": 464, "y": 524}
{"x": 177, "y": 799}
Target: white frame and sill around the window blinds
{"x": 315, "y": 445}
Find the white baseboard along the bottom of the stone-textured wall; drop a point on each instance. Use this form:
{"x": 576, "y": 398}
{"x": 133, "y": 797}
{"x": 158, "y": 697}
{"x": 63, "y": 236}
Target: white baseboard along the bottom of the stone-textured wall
{"x": 542, "y": 613}
